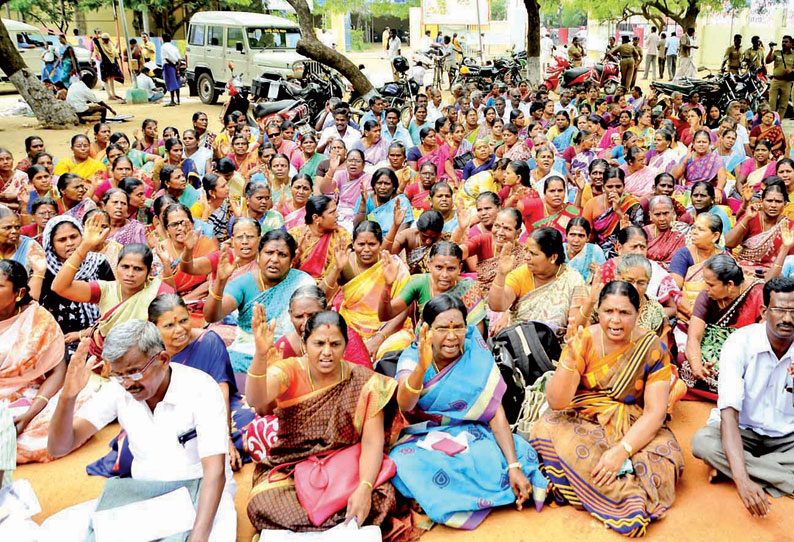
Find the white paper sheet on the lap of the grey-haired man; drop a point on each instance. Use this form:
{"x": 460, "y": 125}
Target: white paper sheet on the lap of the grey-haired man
{"x": 148, "y": 520}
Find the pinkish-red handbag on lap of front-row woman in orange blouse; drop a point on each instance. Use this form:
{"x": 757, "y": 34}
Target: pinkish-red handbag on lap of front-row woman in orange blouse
{"x": 325, "y": 482}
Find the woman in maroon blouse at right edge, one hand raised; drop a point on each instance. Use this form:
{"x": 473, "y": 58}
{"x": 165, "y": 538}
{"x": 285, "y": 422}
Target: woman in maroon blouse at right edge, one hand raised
{"x": 758, "y": 229}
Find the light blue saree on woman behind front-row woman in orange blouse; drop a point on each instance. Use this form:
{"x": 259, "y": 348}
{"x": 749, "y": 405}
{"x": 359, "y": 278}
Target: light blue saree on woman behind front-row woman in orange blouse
{"x": 276, "y": 301}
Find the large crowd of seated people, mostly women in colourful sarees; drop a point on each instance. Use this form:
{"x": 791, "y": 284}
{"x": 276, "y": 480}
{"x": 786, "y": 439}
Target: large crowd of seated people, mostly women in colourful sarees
{"x": 290, "y": 296}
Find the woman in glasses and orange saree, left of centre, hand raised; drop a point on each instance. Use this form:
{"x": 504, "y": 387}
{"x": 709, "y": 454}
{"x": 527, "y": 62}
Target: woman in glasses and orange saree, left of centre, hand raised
{"x": 178, "y": 224}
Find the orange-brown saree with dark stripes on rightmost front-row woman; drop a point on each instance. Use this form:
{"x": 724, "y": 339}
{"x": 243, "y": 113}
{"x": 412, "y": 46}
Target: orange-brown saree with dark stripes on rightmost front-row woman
{"x": 608, "y": 402}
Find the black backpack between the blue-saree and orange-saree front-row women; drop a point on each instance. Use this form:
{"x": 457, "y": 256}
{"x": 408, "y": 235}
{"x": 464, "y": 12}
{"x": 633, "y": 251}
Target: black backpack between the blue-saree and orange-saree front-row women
{"x": 523, "y": 353}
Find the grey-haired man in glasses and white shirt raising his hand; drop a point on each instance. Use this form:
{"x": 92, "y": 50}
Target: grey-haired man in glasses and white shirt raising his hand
{"x": 174, "y": 416}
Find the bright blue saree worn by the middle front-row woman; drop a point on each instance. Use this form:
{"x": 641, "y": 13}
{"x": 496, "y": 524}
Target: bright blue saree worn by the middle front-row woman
{"x": 459, "y": 490}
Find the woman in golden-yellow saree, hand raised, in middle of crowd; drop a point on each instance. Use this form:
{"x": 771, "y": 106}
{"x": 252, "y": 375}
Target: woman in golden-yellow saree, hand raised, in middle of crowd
{"x": 360, "y": 279}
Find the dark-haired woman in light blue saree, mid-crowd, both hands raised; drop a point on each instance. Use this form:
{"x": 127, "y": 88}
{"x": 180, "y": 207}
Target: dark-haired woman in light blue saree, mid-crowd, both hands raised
{"x": 383, "y": 204}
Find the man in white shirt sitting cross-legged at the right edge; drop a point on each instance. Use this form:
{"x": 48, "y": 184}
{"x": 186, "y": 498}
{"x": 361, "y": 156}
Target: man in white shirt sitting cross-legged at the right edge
{"x": 750, "y": 435}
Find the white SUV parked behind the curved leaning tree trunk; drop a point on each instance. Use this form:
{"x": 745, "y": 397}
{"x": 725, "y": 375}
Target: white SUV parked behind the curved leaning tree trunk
{"x": 254, "y": 43}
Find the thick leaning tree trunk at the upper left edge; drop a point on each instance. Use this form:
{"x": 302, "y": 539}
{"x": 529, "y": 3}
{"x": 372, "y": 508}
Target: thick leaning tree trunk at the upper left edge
{"x": 50, "y": 112}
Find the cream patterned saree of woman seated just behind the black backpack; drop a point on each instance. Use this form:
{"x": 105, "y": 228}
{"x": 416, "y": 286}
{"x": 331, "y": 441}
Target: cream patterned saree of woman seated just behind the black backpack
{"x": 549, "y": 303}
